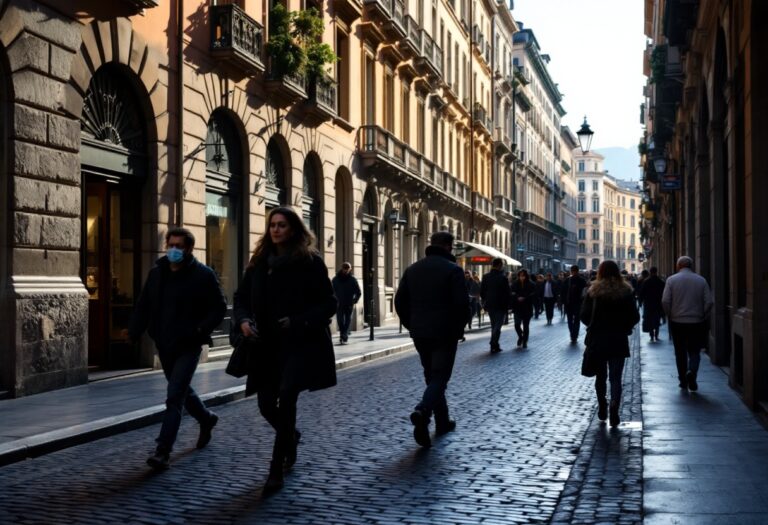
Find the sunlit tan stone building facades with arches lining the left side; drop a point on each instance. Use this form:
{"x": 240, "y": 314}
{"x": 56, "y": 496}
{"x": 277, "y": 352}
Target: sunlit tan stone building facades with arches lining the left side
{"x": 123, "y": 119}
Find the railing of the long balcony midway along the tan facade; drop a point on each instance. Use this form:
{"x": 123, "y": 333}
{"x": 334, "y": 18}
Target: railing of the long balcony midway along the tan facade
{"x": 374, "y": 141}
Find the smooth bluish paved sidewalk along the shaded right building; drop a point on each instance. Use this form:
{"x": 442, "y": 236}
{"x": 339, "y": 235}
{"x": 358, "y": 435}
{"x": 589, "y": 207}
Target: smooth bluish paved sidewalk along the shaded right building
{"x": 705, "y": 455}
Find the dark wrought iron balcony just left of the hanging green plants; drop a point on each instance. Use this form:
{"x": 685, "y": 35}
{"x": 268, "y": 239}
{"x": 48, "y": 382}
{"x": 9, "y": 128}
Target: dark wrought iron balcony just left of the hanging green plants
{"x": 236, "y": 38}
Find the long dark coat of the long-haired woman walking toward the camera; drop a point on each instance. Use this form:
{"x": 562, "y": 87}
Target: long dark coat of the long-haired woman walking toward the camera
{"x": 303, "y": 354}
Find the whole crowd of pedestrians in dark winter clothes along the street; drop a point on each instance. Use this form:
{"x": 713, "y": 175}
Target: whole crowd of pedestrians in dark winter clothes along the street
{"x": 285, "y": 301}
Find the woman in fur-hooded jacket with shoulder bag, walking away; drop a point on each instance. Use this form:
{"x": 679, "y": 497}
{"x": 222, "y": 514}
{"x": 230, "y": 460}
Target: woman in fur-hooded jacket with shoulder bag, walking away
{"x": 610, "y": 313}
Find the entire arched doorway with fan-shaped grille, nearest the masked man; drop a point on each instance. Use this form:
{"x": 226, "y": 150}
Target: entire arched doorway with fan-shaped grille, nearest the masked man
{"x": 114, "y": 166}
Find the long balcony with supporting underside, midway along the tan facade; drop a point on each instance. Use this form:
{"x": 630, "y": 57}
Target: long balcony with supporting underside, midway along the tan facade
{"x": 379, "y": 148}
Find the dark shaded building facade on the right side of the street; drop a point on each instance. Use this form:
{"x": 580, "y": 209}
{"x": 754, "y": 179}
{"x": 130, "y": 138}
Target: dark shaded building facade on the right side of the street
{"x": 706, "y": 97}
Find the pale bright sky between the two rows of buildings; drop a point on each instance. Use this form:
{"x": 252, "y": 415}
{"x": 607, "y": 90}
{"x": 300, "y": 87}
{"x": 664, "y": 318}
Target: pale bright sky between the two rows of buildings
{"x": 596, "y": 50}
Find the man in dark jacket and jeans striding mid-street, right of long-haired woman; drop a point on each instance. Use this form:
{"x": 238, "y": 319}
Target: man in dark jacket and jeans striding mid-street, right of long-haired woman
{"x": 433, "y": 305}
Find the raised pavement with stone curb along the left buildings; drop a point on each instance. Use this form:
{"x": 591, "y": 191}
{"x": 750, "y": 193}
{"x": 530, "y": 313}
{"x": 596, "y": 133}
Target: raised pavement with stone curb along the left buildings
{"x": 43, "y": 423}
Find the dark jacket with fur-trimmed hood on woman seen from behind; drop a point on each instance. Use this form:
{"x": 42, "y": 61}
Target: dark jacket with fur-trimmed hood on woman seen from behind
{"x": 615, "y": 315}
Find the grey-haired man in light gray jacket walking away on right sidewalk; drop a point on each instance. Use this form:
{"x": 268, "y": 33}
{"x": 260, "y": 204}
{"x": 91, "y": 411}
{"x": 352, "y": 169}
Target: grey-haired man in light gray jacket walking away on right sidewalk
{"x": 687, "y": 302}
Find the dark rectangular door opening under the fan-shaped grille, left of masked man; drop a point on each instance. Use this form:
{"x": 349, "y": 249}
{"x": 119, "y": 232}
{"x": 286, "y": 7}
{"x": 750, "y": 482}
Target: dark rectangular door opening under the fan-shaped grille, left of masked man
{"x": 111, "y": 255}
